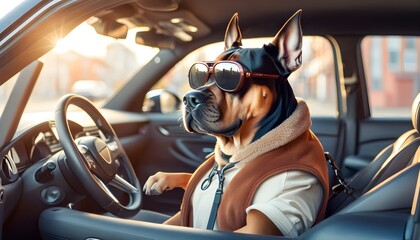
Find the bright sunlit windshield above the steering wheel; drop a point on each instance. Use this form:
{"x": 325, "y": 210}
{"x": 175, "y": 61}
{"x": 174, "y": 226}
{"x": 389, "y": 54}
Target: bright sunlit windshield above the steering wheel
{"x": 87, "y": 64}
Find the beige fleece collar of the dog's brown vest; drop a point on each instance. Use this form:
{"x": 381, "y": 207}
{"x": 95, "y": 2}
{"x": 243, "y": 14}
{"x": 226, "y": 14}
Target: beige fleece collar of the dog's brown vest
{"x": 291, "y": 128}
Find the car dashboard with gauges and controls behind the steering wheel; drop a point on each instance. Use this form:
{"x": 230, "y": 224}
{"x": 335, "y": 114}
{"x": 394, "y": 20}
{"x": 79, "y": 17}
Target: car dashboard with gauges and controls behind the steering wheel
{"x": 35, "y": 143}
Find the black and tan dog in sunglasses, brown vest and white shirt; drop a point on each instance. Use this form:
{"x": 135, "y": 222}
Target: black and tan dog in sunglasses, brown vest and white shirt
{"x": 268, "y": 174}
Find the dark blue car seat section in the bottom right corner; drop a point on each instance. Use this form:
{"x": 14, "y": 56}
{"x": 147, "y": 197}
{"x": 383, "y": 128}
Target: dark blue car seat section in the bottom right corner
{"x": 383, "y": 212}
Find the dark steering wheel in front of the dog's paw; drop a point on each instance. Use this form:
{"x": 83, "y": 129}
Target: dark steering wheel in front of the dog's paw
{"x": 96, "y": 161}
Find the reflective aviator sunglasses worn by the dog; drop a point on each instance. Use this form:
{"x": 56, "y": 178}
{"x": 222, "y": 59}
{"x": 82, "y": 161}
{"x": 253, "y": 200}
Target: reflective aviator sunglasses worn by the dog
{"x": 228, "y": 75}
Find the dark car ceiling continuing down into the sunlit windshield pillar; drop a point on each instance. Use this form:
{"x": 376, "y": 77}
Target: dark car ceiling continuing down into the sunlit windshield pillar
{"x": 257, "y": 19}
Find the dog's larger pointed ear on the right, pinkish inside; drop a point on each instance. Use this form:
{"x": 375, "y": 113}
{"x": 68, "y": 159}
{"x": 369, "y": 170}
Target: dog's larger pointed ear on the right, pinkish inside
{"x": 289, "y": 43}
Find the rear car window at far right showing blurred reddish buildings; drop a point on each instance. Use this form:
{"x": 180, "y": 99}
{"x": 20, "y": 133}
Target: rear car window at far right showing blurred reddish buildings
{"x": 392, "y": 72}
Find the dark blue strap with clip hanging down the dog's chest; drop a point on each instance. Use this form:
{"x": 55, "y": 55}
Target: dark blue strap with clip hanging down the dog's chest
{"x": 218, "y": 194}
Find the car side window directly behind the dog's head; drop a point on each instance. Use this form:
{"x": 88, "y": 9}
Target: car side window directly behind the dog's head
{"x": 315, "y": 81}
